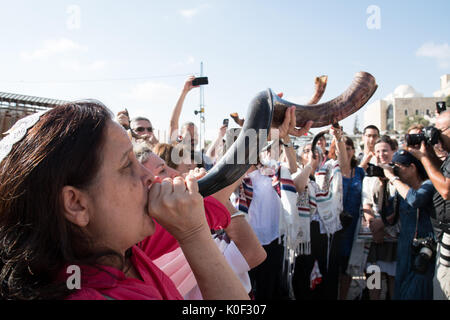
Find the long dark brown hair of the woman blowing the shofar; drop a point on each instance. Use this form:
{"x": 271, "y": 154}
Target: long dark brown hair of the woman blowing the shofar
{"x": 36, "y": 241}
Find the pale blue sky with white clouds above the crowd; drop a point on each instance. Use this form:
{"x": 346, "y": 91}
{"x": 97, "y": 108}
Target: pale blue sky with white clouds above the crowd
{"x": 137, "y": 54}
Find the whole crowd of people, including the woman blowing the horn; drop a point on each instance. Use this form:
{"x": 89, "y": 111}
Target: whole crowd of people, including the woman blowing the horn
{"x": 82, "y": 187}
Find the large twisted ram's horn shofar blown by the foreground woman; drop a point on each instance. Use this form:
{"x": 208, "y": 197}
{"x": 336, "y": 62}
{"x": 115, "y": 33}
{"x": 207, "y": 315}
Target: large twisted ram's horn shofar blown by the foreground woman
{"x": 267, "y": 110}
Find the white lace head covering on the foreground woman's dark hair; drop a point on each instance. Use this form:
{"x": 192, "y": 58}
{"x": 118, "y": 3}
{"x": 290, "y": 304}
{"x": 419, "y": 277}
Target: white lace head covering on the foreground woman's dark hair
{"x": 17, "y": 132}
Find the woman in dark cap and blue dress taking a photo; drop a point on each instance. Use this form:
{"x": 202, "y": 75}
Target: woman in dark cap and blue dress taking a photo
{"x": 416, "y": 245}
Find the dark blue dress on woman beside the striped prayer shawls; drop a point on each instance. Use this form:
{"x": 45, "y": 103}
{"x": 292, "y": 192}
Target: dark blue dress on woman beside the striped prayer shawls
{"x": 352, "y": 189}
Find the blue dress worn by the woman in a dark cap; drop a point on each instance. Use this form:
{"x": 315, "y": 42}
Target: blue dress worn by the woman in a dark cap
{"x": 410, "y": 285}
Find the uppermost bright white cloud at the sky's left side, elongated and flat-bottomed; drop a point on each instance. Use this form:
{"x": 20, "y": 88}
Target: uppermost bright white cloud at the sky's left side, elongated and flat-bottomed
{"x": 52, "y": 48}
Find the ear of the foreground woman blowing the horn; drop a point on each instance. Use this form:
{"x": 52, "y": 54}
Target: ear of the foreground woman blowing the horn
{"x": 75, "y": 206}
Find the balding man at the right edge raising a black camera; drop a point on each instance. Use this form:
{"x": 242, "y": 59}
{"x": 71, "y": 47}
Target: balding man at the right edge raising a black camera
{"x": 439, "y": 174}
